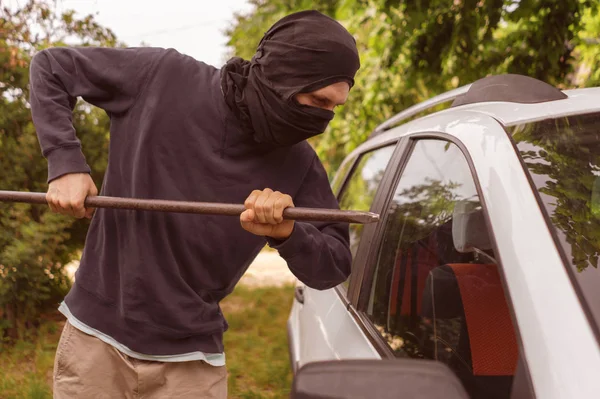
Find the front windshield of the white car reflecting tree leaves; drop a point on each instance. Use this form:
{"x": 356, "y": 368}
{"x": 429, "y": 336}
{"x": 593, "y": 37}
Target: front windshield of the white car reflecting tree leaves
{"x": 562, "y": 156}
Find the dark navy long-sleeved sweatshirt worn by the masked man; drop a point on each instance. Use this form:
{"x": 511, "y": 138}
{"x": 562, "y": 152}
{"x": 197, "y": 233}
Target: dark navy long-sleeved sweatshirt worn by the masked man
{"x": 150, "y": 280}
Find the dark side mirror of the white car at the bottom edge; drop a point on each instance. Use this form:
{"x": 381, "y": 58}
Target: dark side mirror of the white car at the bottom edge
{"x": 381, "y": 379}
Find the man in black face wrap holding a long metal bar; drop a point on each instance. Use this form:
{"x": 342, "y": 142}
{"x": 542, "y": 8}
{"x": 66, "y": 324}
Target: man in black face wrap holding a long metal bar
{"x": 143, "y": 314}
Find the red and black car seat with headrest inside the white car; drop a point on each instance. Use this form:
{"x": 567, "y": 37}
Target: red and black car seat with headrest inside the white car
{"x": 471, "y": 330}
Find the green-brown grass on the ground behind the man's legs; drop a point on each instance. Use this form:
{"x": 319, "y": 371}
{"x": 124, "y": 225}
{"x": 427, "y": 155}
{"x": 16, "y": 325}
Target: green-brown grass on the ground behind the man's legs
{"x": 255, "y": 346}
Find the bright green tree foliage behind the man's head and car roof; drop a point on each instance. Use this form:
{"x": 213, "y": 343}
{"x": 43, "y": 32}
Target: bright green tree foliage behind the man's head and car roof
{"x": 413, "y": 50}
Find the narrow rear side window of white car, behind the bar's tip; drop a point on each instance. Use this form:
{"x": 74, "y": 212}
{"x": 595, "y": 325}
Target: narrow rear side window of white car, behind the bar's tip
{"x": 361, "y": 186}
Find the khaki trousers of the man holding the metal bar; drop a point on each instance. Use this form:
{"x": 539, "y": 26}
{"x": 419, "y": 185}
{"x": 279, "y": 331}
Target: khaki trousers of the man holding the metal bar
{"x": 86, "y": 367}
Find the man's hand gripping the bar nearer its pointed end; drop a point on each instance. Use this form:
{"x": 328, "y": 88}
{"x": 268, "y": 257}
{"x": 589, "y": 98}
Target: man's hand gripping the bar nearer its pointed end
{"x": 264, "y": 214}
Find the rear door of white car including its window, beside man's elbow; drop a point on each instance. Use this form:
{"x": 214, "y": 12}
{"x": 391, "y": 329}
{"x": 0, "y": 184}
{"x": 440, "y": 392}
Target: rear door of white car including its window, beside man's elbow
{"x": 320, "y": 325}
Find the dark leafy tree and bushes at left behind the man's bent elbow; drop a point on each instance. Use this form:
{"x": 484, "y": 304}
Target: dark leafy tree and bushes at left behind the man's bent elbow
{"x": 35, "y": 243}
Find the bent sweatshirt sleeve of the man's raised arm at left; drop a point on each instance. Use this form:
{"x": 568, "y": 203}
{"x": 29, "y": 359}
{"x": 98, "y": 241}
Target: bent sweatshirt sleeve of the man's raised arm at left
{"x": 109, "y": 78}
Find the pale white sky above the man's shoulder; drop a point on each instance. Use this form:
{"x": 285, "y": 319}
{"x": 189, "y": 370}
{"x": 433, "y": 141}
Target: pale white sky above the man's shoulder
{"x": 193, "y": 27}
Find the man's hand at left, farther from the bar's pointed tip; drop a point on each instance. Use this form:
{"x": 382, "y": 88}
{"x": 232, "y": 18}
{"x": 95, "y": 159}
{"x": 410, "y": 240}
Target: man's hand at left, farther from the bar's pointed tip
{"x": 67, "y": 194}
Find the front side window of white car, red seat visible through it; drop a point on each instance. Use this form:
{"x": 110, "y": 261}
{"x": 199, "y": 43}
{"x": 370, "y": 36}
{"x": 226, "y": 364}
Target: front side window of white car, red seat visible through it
{"x": 435, "y": 290}
